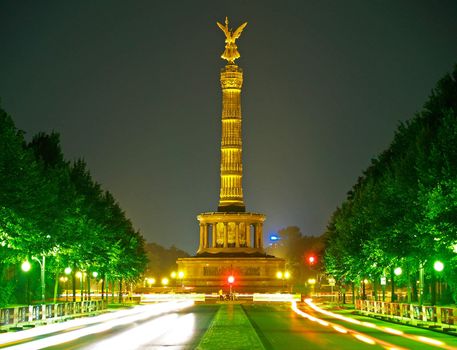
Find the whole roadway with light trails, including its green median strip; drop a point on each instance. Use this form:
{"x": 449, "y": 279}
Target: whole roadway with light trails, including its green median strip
{"x": 183, "y": 325}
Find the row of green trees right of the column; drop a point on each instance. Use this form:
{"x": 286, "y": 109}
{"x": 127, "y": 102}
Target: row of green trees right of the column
{"x": 402, "y": 212}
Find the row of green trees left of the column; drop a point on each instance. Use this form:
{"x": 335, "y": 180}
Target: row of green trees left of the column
{"x": 52, "y": 210}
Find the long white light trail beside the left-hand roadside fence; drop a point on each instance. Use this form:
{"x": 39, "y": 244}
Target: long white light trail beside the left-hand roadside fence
{"x": 103, "y": 324}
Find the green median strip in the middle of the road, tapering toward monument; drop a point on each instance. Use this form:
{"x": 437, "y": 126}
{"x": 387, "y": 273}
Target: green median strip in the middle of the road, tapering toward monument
{"x": 230, "y": 329}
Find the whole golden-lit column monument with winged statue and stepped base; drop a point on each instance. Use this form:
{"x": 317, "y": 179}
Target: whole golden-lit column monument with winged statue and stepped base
{"x": 231, "y": 239}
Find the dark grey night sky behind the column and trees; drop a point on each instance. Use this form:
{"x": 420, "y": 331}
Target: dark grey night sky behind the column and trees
{"x": 133, "y": 88}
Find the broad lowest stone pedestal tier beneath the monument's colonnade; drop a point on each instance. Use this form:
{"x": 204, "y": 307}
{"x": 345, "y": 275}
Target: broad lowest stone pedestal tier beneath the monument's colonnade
{"x": 252, "y": 274}
